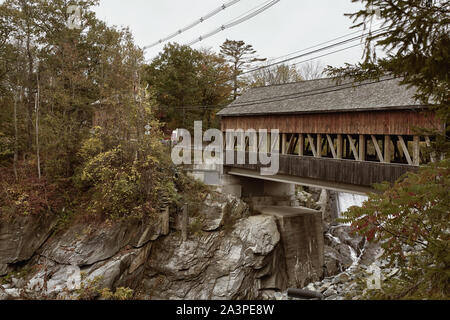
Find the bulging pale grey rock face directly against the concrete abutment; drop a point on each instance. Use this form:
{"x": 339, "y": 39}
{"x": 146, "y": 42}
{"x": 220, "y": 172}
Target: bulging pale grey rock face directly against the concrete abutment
{"x": 241, "y": 264}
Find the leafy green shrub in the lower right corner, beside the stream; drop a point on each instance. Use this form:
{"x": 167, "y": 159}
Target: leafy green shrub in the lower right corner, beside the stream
{"x": 411, "y": 221}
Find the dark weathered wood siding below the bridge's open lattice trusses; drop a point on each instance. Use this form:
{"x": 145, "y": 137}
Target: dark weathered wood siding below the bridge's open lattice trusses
{"x": 361, "y": 173}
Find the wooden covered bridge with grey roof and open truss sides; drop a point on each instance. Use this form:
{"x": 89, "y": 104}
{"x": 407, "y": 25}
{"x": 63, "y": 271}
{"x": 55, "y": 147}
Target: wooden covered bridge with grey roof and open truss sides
{"x": 345, "y": 136}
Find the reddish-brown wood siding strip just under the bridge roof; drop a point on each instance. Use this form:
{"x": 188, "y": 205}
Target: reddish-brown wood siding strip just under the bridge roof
{"x": 395, "y": 122}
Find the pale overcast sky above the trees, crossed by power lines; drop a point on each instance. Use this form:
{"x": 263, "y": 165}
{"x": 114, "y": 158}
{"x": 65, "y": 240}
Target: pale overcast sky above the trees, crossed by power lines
{"x": 288, "y": 26}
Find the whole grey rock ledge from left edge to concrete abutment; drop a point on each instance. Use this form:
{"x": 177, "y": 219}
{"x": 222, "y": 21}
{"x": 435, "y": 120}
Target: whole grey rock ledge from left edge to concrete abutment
{"x": 232, "y": 256}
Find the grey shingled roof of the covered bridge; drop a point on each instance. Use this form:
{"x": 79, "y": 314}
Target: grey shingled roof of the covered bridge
{"x": 323, "y": 96}
